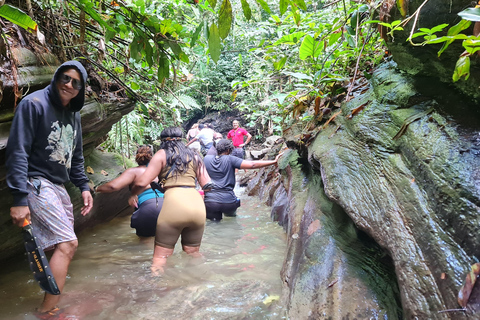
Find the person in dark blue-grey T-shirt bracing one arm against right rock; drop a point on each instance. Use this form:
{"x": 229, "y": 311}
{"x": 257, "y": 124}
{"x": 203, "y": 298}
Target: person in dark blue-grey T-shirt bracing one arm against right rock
{"x": 221, "y": 168}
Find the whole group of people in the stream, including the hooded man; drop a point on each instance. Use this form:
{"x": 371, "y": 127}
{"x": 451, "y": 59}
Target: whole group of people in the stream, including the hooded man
{"x": 44, "y": 151}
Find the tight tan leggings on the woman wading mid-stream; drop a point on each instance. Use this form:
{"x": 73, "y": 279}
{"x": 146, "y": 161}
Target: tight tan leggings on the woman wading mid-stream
{"x": 183, "y": 213}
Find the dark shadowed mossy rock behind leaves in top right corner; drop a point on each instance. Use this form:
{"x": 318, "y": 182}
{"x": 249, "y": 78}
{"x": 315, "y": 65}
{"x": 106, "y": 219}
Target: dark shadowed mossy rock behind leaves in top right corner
{"x": 423, "y": 61}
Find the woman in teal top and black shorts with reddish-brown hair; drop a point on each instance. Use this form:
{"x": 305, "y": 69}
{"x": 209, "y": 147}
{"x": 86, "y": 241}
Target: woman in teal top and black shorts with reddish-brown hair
{"x": 148, "y": 203}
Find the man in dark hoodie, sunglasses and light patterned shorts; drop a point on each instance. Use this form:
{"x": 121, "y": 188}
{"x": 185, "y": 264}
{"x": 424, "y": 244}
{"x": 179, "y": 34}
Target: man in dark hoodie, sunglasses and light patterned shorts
{"x": 44, "y": 151}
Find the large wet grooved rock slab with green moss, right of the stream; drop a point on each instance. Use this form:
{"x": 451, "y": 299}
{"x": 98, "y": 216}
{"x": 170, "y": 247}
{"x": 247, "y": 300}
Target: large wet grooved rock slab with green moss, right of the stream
{"x": 360, "y": 198}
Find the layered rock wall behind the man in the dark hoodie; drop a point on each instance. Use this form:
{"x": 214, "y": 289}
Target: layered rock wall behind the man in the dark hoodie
{"x": 97, "y": 119}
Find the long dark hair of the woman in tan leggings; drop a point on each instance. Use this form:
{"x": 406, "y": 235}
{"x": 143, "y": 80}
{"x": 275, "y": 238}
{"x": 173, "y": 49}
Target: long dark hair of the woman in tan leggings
{"x": 176, "y": 151}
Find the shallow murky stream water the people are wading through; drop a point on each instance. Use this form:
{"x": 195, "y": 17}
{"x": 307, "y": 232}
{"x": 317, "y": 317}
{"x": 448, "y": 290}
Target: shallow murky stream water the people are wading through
{"x": 109, "y": 278}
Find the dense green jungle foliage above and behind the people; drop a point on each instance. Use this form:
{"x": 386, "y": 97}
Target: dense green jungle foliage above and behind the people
{"x": 282, "y": 63}
